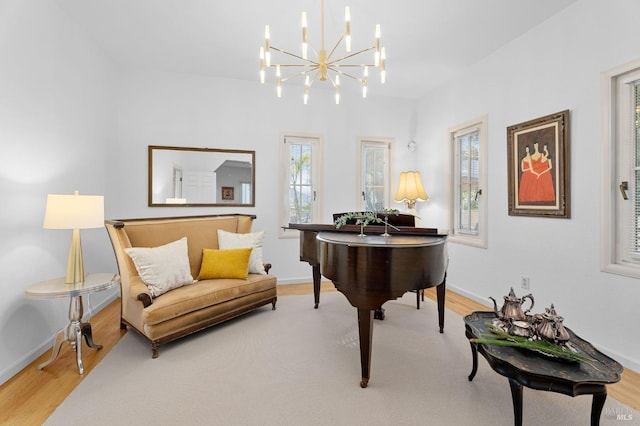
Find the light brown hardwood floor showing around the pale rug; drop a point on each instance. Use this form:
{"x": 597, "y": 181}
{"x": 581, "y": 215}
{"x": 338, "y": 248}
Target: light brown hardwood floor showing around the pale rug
{"x": 32, "y": 395}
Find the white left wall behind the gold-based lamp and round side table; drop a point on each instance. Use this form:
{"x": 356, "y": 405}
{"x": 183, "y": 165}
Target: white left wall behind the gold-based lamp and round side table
{"x": 55, "y": 124}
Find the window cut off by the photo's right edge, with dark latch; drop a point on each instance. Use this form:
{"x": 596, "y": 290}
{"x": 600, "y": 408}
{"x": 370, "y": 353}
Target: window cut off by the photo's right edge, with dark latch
{"x": 621, "y": 157}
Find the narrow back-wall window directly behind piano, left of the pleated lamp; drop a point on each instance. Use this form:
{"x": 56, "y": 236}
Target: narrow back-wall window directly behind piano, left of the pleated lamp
{"x": 374, "y": 191}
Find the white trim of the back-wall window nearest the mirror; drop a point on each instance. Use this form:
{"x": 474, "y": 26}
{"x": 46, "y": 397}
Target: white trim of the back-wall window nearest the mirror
{"x": 317, "y": 167}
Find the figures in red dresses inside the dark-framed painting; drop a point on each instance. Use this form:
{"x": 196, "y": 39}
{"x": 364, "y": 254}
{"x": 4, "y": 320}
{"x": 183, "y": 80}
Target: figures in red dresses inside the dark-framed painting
{"x": 536, "y": 183}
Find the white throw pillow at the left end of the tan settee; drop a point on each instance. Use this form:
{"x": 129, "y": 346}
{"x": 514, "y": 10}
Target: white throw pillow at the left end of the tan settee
{"x": 163, "y": 268}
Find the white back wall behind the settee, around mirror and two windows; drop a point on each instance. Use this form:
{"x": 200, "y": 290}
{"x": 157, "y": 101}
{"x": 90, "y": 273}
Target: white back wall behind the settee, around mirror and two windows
{"x": 157, "y": 108}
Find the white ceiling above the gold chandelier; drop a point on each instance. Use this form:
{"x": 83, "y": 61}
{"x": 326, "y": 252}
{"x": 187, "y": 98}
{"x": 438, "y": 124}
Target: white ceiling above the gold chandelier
{"x": 426, "y": 41}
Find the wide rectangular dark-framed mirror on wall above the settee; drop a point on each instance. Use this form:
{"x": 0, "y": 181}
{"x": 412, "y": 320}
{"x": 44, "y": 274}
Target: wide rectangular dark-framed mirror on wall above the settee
{"x": 190, "y": 177}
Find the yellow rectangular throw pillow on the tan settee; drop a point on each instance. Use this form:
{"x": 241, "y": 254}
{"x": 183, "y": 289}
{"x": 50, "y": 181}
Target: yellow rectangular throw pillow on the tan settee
{"x": 232, "y": 263}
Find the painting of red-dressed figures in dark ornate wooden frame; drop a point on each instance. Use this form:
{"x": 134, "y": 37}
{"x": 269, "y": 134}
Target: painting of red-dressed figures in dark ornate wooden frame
{"x": 538, "y": 167}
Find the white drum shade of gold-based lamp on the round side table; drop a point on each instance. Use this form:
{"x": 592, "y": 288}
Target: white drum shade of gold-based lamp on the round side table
{"x": 74, "y": 211}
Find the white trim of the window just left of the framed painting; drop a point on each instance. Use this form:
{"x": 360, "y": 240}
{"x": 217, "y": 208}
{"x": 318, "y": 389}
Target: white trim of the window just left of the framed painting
{"x": 479, "y": 240}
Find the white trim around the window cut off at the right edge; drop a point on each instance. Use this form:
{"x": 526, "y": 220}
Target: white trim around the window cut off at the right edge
{"x": 610, "y": 219}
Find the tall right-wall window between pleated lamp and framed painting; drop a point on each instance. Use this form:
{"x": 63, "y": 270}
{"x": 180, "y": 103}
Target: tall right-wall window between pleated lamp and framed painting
{"x": 468, "y": 202}
